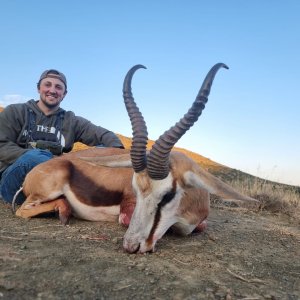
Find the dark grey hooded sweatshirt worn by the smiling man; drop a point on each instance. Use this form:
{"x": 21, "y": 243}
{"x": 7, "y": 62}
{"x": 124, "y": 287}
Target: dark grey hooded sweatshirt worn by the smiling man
{"x": 64, "y": 126}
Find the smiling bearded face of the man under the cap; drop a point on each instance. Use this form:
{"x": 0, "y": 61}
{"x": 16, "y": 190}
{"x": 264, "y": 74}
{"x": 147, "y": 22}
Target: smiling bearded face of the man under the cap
{"x": 52, "y": 91}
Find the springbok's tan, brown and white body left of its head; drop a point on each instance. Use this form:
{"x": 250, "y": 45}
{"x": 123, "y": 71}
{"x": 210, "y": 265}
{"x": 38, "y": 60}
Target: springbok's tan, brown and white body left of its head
{"x": 71, "y": 185}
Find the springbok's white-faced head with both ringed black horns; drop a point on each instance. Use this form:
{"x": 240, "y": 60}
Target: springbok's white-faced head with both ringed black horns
{"x": 158, "y": 191}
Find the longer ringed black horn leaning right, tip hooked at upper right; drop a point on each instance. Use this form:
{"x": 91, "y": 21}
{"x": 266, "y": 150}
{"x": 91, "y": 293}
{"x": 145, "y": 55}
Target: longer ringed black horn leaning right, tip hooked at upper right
{"x": 158, "y": 158}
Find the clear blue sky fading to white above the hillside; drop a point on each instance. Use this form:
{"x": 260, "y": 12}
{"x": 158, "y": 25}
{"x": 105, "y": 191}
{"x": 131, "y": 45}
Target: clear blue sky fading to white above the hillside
{"x": 251, "y": 121}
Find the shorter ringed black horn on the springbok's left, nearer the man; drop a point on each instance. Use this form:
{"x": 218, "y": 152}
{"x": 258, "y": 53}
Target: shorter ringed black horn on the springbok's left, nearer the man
{"x": 139, "y": 128}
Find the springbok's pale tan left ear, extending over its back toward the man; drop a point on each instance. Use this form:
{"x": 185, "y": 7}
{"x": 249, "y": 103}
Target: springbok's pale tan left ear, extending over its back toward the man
{"x": 113, "y": 161}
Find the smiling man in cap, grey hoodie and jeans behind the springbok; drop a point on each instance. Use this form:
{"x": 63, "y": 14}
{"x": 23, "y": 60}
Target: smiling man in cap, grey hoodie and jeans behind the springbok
{"x": 36, "y": 131}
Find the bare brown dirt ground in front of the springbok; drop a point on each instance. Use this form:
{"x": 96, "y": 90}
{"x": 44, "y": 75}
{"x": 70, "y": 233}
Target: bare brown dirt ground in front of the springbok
{"x": 242, "y": 255}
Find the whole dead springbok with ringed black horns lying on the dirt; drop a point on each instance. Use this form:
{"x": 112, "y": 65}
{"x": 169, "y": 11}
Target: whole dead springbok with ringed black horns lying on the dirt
{"x": 149, "y": 191}
